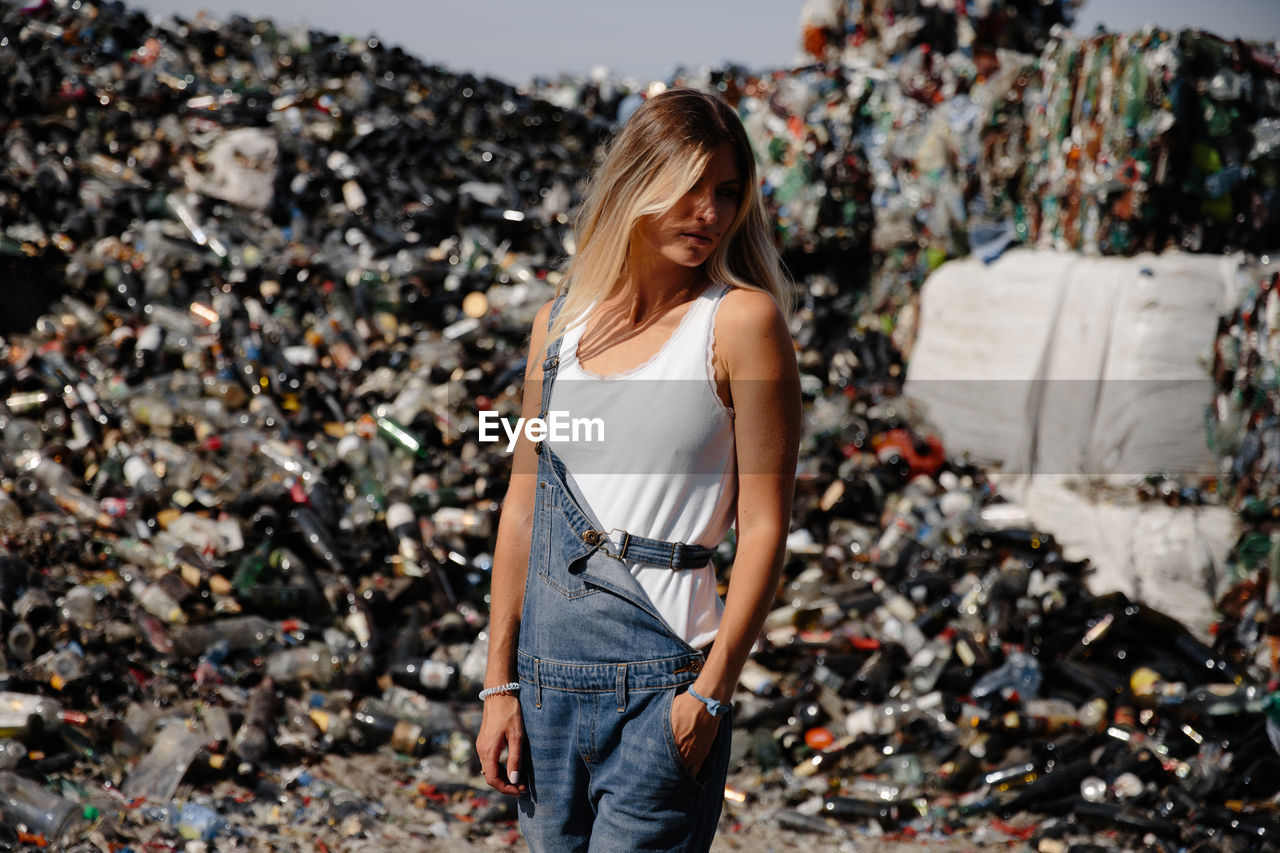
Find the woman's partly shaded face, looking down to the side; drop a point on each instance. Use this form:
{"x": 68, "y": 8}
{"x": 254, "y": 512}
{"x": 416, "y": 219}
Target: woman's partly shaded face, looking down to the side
{"x": 689, "y": 232}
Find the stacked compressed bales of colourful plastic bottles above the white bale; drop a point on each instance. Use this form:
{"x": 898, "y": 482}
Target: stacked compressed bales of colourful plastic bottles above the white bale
{"x": 922, "y": 133}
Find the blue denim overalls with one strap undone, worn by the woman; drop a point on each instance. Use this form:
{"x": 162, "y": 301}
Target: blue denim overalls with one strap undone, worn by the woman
{"x": 598, "y": 670}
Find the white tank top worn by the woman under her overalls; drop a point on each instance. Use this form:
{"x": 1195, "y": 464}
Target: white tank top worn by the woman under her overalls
{"x": 666, "y": 467}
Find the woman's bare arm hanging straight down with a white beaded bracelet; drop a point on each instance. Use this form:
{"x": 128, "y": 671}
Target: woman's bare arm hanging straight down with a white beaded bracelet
{"x": 502, "y": 727}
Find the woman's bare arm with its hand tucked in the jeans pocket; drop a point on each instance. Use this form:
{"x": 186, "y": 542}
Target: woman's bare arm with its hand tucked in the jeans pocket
{"x": 757, "y": 352}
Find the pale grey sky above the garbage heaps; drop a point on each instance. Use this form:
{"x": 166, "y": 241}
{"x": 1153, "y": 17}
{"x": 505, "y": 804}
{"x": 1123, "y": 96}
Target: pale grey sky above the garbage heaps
{"x": 516, "y": 40}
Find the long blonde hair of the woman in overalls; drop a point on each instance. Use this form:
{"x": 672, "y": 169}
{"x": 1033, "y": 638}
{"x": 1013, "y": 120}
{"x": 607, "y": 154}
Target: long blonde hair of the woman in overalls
{"x": 655, "y": 159}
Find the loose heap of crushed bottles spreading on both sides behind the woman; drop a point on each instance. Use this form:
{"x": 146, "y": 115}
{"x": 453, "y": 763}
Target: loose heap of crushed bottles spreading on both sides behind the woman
{"x": 263, "y": 284}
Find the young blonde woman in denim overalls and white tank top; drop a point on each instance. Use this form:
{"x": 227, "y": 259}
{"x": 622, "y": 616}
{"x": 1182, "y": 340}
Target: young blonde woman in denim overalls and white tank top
{"x": 612, "y": 660}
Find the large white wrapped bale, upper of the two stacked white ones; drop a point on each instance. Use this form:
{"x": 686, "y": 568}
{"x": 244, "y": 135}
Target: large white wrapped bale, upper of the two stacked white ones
{"x": 1063, "y": 364}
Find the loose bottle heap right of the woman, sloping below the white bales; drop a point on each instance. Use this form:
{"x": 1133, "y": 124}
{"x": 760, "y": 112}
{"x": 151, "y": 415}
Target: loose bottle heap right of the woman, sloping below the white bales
{"x": 939, "y": 664}
